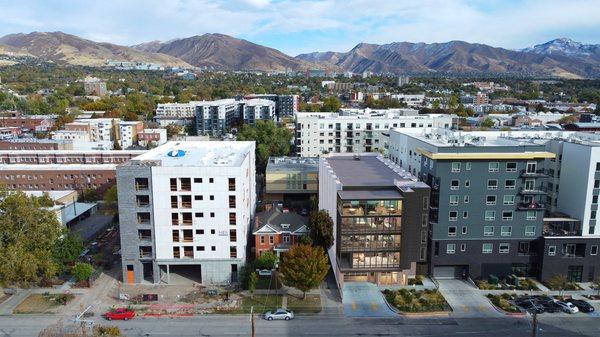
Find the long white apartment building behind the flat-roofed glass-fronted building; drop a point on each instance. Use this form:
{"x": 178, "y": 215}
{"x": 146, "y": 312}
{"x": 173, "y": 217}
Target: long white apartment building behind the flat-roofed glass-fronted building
{"x": 368, "y": 131}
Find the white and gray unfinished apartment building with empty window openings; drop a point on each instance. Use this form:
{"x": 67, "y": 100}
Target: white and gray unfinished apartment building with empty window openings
{"x": 185, "y": 208}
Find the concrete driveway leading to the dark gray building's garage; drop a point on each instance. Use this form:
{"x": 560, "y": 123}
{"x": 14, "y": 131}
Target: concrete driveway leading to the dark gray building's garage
{"x": 466, "y": 300}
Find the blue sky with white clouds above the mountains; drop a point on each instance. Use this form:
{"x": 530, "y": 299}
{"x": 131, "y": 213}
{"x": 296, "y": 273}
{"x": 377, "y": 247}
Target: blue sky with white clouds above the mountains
{"x": 303, "y": 26}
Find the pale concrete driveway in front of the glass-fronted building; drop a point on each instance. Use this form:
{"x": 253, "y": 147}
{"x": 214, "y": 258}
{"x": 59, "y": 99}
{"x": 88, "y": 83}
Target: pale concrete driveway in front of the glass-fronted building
{"x": 363, "y": 299}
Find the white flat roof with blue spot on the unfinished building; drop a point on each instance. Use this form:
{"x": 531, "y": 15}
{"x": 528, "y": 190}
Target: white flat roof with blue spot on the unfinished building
{"x": 198, "y": 153}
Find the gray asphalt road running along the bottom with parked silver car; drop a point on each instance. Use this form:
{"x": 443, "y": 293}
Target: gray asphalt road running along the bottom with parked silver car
{"x": 221, "y": 325}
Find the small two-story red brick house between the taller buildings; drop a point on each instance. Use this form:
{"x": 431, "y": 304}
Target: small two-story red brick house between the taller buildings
{"x": 276, "y": 229}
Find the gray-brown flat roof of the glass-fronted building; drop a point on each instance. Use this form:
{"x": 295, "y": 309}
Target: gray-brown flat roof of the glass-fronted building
{"x": 367, "y": 169}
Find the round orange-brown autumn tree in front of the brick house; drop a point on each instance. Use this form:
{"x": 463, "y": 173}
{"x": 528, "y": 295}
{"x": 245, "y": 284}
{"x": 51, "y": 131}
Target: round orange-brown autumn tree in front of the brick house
{"x": 304, "y": 267}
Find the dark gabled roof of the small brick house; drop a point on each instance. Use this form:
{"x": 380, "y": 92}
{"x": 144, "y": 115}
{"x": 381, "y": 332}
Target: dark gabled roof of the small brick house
{"x": 274, "y": 220}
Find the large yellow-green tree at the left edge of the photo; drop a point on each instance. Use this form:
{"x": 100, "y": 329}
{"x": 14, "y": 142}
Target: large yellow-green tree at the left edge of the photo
{"x": 28, "y": 234}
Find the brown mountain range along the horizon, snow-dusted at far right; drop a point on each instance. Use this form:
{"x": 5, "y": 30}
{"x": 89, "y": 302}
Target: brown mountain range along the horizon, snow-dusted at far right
{"x": 561, "y": 57}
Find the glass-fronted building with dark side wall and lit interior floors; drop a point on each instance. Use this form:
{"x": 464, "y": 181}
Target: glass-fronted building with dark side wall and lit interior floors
{"x": 380, "y": 214}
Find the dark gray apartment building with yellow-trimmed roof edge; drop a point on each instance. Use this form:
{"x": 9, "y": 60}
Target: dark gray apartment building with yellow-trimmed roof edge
{"x": 487, "y": 199}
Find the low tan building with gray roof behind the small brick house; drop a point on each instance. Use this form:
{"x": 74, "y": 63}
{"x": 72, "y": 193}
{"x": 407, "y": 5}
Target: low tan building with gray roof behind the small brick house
{"x": 292, "y": 180}
